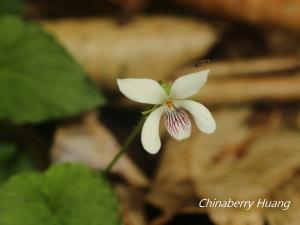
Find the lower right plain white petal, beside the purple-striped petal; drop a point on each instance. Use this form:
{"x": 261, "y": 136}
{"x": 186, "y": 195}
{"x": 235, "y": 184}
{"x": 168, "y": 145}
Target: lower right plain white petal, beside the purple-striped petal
{"x": 204, "y": 120}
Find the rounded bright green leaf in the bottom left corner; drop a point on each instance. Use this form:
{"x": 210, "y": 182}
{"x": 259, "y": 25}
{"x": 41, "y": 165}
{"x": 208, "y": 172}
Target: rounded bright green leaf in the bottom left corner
{"x": 64, "y": 195}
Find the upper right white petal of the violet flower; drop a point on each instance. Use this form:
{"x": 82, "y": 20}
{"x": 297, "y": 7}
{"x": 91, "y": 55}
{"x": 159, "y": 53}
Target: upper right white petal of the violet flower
{"x": 188, "y": 85}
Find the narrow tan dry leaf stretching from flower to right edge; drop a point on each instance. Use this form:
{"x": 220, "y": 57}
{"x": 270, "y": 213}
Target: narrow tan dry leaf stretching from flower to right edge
{"x": 270, "y": 88}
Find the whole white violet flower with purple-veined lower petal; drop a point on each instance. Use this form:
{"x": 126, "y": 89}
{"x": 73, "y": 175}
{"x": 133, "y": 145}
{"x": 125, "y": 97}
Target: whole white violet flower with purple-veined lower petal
{"x": 171, "y": 103}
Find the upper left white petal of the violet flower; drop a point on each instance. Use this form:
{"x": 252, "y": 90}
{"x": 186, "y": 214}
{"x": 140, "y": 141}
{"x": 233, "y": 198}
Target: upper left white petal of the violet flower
{"x": 142, "y": 90}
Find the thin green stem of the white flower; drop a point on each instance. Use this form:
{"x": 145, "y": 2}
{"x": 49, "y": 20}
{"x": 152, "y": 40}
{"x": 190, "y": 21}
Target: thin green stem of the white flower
{"x": 136, "y": 130}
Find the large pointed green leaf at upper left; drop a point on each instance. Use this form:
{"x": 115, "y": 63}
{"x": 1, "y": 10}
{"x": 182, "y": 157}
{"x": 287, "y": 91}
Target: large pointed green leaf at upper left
{"x": 39, "y": 80}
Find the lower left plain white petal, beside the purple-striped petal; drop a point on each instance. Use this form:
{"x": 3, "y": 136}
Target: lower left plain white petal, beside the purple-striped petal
{"x": 150, "y": 132}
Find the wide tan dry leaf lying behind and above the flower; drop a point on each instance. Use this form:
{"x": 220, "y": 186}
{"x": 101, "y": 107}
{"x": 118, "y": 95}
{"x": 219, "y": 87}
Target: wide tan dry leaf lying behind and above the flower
{"x": 149, "y": 47}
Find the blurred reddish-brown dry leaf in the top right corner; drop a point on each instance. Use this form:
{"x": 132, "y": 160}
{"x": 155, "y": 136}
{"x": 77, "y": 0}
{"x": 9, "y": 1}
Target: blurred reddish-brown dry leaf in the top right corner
{"x": 254, "y": 11}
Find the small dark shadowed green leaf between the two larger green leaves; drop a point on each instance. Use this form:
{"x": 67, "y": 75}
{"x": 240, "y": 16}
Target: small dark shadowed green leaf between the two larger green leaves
{"x": 13, "y": 160}
